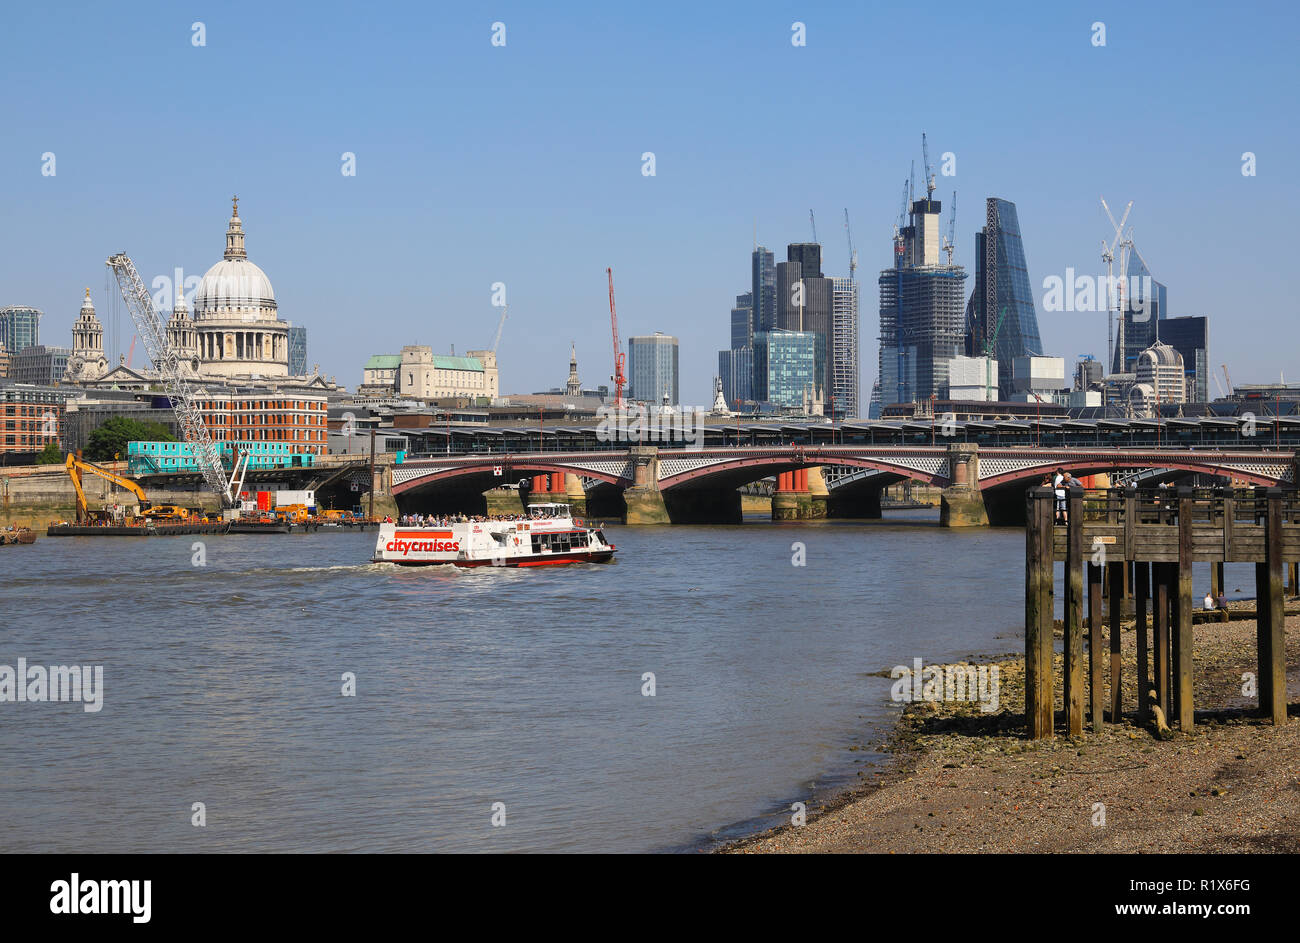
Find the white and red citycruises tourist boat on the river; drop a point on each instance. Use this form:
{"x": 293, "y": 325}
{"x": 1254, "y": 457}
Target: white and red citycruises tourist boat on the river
{"x": 548, "y": 535}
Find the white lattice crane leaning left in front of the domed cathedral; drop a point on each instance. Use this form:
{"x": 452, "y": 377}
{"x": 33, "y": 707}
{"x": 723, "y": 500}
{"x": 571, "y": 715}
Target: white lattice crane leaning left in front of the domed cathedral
{"x": 167, "y": 362}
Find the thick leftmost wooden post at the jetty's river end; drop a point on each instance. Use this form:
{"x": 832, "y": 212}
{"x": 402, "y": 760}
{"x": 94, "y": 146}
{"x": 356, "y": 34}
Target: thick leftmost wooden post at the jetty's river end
{"x": 1039, "y": 538}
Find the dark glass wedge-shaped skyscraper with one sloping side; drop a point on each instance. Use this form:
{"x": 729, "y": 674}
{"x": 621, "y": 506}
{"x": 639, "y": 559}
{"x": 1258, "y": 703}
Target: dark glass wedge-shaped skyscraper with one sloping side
{"x": 1002, "y": 314}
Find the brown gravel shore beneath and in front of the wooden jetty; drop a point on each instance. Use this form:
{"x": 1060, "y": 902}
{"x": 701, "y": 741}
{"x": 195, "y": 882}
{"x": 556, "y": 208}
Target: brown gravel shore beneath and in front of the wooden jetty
{"x": 965, "y": 781}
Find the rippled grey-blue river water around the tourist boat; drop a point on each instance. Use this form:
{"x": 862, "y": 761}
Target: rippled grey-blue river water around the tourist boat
{"x": 223, "y": 686}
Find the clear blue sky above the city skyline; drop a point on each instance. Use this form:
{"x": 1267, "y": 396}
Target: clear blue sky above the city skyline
{"x": 522, "y": 165}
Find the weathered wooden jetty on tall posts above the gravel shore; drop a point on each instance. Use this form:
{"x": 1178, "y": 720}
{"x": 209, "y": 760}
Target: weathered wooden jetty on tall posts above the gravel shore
{"x": 1146, "y": 543}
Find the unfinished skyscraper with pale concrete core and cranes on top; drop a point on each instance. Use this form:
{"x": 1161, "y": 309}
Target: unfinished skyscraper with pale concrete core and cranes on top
{"x": 922, "y": 310}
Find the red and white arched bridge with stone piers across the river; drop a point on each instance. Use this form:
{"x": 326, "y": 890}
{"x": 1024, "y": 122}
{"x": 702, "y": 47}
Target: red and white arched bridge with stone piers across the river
{"x": 645, "y": 485}
